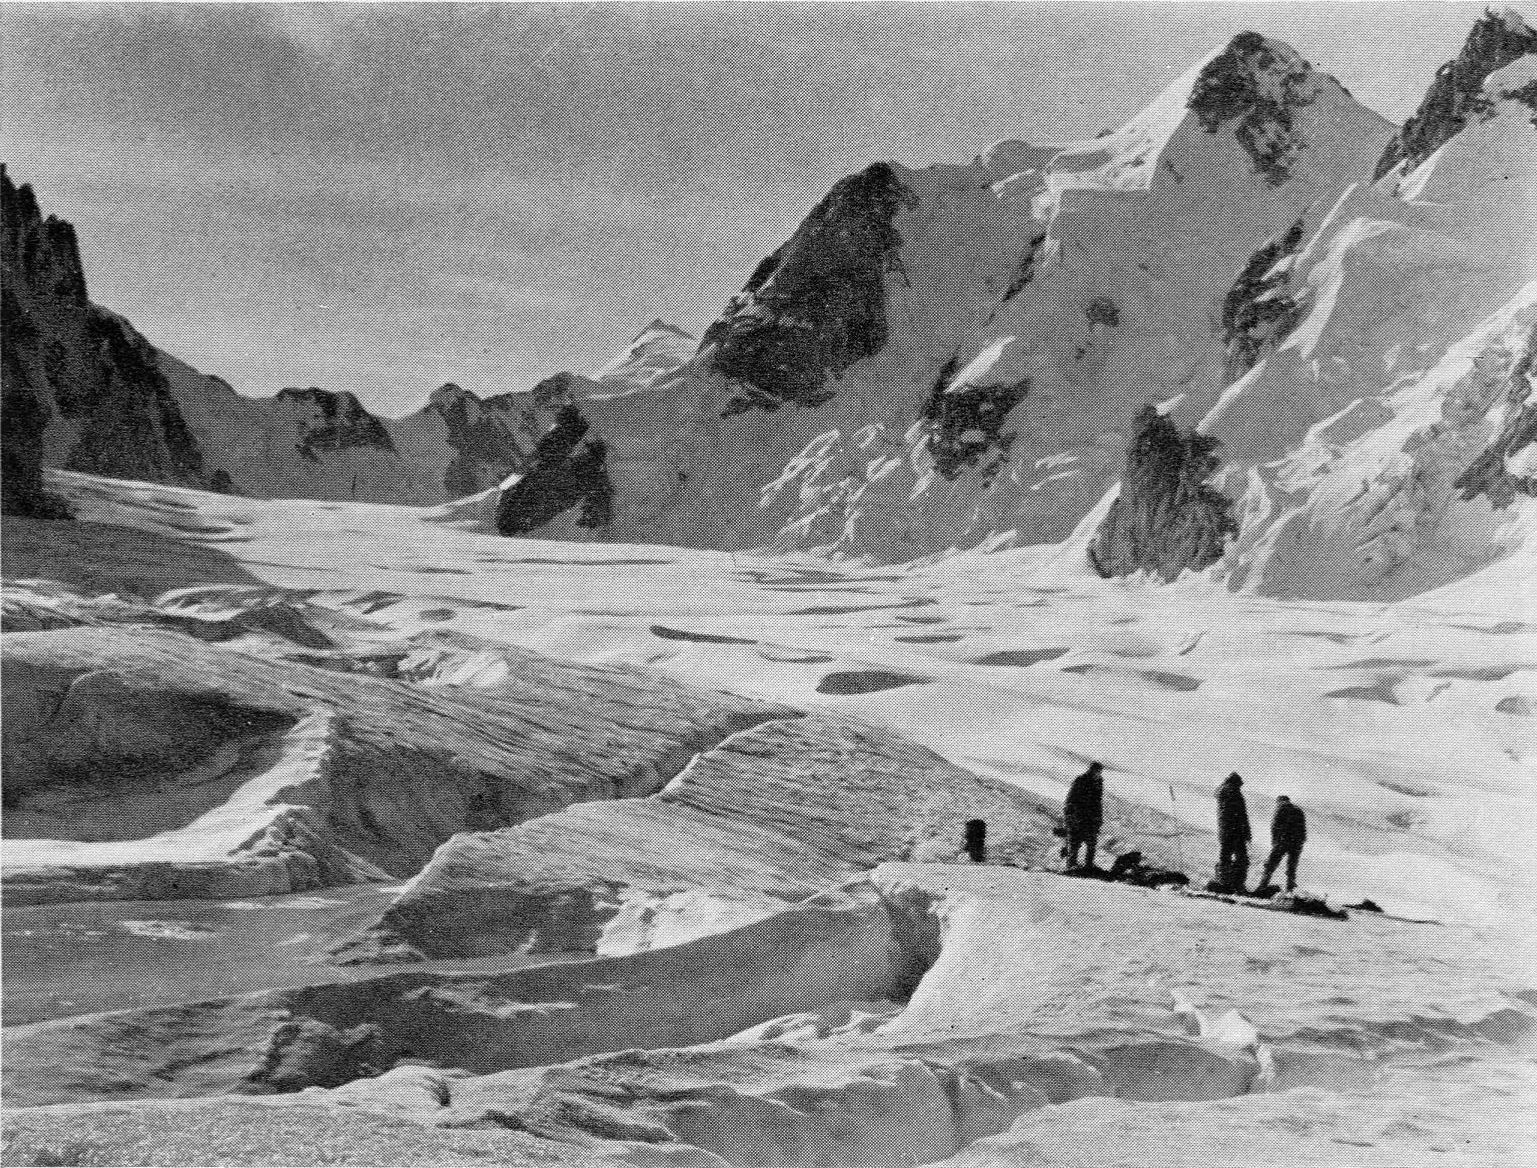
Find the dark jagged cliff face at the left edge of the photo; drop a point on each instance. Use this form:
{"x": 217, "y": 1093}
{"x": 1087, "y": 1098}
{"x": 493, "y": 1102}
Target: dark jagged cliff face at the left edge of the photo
{"x": 82, "y": 388}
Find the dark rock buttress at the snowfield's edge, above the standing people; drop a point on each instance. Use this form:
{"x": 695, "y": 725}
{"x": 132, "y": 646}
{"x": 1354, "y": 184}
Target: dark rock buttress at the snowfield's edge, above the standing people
{"x": 1167, "y": 519}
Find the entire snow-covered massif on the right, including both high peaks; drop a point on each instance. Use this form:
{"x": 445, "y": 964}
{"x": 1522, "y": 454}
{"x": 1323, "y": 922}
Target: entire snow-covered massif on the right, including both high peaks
{"x": 958, "y": 357}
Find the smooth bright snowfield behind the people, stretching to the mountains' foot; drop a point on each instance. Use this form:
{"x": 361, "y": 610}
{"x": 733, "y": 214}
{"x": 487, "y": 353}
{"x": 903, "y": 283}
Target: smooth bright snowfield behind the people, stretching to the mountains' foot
{"x": 1023, "y": 665}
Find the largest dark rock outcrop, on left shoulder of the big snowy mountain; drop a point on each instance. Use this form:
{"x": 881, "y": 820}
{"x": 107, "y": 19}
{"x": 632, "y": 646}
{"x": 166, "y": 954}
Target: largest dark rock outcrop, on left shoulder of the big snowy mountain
{"x": 817, "y": 305}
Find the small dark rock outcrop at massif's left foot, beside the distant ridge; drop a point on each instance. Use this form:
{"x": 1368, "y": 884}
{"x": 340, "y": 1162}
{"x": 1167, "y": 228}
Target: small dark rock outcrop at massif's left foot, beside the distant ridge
{"x": 568, "y": 473}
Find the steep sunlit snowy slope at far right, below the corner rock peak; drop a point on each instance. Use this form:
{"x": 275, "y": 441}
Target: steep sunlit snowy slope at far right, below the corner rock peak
{"x": 1383, "y": 443}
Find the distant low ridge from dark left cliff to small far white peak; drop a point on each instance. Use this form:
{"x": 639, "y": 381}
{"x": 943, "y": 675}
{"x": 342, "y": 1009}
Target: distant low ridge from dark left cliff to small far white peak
{"x": 85, "y": 391}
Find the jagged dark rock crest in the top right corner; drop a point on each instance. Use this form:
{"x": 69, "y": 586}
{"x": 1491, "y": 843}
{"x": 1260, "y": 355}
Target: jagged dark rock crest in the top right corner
{"x": 1456, "y": 96}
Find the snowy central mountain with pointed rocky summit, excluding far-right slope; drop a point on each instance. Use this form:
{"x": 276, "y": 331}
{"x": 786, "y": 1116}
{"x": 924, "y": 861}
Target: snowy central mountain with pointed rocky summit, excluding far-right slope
{"x": 952, "y": 356}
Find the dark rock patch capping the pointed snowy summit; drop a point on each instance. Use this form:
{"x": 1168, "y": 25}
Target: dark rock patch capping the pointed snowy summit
{"x": 1230, "y": 90}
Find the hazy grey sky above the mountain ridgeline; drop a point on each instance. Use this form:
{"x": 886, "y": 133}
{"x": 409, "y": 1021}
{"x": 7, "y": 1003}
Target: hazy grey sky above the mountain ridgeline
{"x": 387, "y": 197}
